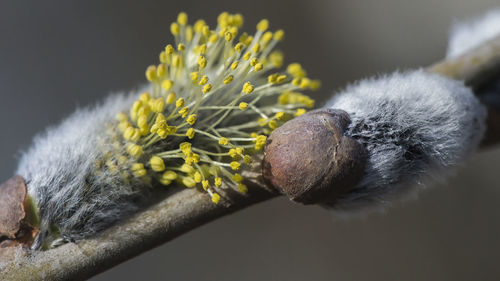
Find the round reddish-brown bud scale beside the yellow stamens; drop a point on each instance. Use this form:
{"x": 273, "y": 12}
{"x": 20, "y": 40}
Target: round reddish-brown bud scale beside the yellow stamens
{"x": 310, "y": 160}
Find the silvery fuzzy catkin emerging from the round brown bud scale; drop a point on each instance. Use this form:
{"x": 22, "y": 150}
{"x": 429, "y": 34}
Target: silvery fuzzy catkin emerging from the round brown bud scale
{"x": 414, "y": 125}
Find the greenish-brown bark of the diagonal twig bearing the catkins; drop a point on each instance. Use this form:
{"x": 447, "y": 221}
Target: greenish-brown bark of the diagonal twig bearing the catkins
{"x": 185, "y": 209}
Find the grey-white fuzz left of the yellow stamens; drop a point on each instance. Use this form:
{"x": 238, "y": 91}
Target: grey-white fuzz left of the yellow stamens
{"x": 58, "y": 169}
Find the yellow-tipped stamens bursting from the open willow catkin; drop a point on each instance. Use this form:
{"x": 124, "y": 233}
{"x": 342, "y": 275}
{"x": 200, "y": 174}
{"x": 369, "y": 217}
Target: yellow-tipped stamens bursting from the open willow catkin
{"x": 208, "y": 74}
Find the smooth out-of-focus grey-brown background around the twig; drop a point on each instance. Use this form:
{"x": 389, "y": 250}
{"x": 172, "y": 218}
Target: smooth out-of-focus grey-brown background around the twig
{"x": 60, "y": 55}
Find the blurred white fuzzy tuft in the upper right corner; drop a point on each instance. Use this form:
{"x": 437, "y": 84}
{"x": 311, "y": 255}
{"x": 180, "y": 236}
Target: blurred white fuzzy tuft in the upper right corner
{"x": 470, "y": 34}
